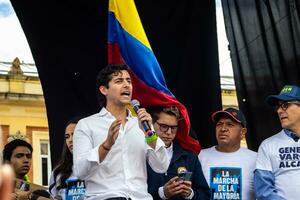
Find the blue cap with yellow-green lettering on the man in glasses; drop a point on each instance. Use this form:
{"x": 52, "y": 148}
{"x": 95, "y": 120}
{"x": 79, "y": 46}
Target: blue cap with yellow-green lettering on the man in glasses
{"x": 288, "y": 93}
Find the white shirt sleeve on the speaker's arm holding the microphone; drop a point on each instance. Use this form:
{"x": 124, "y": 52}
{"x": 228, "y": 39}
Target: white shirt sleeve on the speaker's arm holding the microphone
{"x": 157, "y": 158}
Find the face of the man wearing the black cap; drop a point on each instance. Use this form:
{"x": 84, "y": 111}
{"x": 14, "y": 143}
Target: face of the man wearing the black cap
{"x": 229, "y": 132}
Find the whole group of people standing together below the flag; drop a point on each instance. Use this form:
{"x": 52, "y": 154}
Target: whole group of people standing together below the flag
{"x": 120, "y": 155}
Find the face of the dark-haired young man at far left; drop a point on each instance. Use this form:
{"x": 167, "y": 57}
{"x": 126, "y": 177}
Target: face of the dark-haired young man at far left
{"x": 21, "y": 161}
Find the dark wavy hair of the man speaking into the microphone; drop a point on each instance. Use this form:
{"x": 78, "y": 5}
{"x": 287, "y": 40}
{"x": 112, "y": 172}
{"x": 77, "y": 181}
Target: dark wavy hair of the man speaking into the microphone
{"x": 104, "y": 76}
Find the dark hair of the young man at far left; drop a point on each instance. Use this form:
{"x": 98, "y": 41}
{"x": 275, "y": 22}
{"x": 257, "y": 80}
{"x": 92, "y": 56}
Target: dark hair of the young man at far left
{"x": 11, "y": 146}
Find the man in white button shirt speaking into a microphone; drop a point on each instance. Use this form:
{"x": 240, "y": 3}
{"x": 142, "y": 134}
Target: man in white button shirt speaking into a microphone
{"x": 110, "y": 149}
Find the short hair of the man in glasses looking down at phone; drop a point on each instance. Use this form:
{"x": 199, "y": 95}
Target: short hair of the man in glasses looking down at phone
{"x": 172, "y": 110}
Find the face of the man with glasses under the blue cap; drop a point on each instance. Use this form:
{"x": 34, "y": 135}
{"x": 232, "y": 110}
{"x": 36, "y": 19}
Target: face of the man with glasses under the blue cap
{"x": 289, "y": 115}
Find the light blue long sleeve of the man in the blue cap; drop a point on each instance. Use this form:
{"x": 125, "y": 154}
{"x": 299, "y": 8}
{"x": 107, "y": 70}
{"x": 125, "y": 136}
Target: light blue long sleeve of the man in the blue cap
{"x": 264, "y": 185}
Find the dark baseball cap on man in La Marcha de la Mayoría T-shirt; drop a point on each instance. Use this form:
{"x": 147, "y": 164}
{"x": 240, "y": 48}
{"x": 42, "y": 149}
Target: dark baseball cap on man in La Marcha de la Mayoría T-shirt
{"x": 235, "y": 114}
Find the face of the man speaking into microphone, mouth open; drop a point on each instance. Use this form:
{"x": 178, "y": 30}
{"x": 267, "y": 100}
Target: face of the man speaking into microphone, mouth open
{"x": 119, "y": 91}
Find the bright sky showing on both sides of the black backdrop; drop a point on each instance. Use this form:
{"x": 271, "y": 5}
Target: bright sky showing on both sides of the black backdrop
{"x": 13, "y": 42}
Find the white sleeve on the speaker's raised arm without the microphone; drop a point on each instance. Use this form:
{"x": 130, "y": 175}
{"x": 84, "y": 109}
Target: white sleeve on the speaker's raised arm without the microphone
{"x": 85, "y": 156}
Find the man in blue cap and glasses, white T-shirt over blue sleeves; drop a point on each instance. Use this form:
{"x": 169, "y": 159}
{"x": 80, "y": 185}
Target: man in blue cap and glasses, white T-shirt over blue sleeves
{"x": 278, "y": 162}
